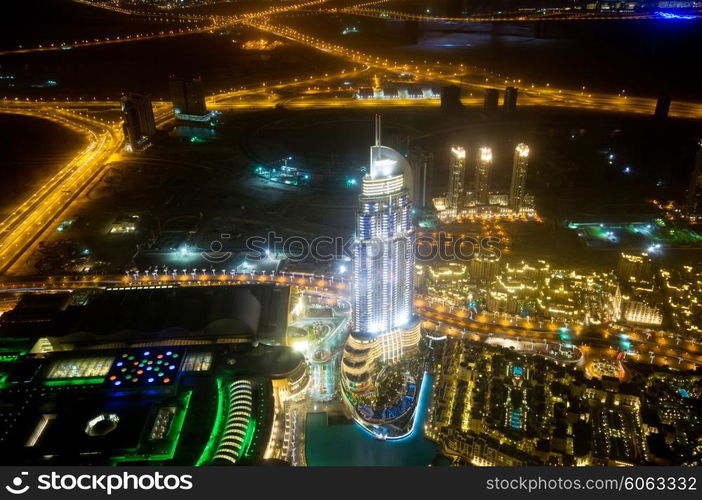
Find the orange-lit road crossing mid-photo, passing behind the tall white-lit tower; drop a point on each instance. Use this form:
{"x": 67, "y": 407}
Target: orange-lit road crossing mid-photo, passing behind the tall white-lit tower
{"x": 606, "y": 342}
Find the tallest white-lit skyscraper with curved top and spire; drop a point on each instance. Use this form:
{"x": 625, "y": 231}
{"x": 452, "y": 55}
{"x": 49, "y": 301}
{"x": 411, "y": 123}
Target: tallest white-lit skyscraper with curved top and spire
{"x": 385, "y": 326}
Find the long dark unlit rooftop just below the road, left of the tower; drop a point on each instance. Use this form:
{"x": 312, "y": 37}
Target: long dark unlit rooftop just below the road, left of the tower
{"x": 144, "y": 314}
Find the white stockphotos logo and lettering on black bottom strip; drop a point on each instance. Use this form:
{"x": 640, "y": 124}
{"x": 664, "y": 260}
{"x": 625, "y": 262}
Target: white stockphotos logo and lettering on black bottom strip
{"x": 105, "y": 483}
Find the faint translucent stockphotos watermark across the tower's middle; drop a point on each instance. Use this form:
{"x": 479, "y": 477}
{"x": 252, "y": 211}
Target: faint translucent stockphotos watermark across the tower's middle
{"x": 427, "y": 248}
